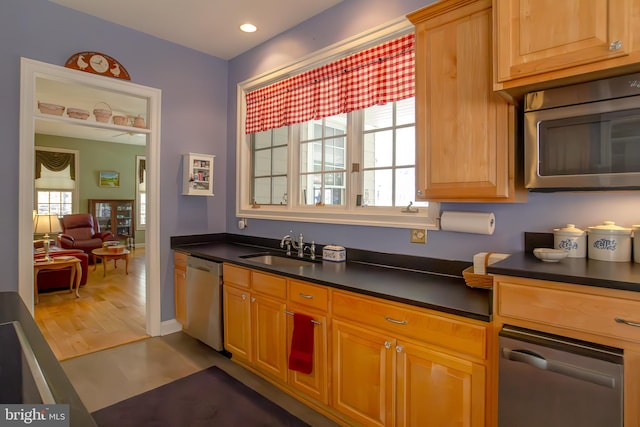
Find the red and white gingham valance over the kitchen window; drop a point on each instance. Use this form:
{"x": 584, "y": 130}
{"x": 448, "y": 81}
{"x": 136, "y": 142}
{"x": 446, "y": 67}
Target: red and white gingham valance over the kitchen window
{"x": 375, "y": 76}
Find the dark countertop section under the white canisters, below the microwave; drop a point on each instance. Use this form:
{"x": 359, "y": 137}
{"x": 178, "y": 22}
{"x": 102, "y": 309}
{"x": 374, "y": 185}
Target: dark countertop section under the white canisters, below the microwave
{"x": 579, "y": 271}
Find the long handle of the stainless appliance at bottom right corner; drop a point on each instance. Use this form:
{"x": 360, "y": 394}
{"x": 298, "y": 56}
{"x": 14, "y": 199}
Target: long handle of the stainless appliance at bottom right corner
{"x": 537, "y": 361}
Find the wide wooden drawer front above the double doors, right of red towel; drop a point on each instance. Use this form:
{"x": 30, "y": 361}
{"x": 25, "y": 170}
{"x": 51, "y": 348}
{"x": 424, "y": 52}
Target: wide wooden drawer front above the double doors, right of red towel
{"x": 422, "y": 325}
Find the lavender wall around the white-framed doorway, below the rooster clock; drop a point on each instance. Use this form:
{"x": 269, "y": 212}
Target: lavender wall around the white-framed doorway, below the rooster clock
{"x": 194, "y": 115}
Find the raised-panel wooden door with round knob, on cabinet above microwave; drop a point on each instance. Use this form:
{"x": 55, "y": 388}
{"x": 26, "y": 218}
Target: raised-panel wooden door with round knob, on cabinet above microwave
{"x": 539, "y": 36}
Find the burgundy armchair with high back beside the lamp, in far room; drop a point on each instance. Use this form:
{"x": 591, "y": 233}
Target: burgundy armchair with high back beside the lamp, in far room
{"x": 79, "y": 231}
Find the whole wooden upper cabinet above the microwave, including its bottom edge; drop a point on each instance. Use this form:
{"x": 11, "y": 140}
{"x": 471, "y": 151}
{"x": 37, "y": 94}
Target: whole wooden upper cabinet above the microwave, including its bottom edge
{"x": 540, "y": 45}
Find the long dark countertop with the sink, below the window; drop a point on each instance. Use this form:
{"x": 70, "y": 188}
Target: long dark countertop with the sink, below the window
{"x": 439, "y": 290}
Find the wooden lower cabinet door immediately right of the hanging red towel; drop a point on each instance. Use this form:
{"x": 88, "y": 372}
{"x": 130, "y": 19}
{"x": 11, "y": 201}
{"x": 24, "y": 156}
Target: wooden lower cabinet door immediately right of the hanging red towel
{"x": 363, "y": 374}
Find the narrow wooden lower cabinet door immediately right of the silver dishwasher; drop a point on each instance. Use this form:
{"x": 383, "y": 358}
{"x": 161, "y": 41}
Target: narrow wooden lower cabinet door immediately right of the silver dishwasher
{"x": 237, "y": 322}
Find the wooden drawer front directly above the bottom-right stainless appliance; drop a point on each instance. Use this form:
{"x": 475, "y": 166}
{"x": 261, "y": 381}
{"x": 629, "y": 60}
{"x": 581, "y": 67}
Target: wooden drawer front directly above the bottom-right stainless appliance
{"x": 579, "y": 311}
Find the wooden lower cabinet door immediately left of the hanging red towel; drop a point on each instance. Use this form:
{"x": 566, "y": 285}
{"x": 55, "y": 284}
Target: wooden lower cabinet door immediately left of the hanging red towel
{"x": 269, "y": 334}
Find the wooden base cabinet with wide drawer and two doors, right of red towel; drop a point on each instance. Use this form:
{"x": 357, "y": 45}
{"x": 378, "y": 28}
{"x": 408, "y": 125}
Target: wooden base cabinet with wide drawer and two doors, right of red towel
{"x": 388, "y": 372}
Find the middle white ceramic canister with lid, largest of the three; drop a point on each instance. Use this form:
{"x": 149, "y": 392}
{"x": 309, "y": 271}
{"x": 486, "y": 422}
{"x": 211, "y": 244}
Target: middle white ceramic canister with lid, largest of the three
{"x": 610, "y": 242}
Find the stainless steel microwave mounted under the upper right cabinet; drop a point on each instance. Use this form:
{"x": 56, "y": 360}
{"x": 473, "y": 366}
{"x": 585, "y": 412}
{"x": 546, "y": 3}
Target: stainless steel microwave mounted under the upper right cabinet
{"x": 584, "y": 136}
